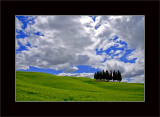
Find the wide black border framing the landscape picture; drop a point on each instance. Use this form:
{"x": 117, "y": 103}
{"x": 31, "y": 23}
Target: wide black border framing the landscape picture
{"x": 148, "y": 108}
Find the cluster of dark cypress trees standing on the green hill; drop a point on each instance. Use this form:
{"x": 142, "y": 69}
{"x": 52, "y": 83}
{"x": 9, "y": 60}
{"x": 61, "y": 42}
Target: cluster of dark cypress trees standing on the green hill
{"x": 105, "y": 75}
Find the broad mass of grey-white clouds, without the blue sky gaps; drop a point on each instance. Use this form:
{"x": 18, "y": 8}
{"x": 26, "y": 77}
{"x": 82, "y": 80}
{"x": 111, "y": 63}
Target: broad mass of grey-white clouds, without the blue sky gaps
{"x": 67, "y": 42}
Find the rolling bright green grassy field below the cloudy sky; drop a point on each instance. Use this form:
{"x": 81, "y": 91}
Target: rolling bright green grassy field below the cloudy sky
{"x": 36, "y": 86}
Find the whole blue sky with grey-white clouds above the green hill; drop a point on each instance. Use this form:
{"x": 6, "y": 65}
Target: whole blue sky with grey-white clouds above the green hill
{"x": 73, "y": 45}
